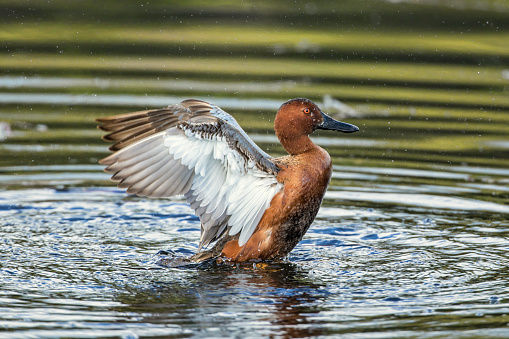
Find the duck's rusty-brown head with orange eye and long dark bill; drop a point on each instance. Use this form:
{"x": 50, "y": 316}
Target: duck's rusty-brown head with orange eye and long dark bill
{"x": 297, "y": 118}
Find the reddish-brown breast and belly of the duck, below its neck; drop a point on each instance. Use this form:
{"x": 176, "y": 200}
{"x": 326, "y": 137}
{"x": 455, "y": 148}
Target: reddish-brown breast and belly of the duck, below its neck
{"x": 305, "y": 178}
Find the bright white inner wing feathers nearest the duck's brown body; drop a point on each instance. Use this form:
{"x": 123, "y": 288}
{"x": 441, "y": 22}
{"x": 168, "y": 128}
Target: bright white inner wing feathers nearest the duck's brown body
{"x": 224, "y": 182}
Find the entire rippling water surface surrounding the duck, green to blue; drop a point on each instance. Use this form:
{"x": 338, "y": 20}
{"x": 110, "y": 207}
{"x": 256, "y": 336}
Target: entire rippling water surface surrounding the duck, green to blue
{"x": 412, "y": 238}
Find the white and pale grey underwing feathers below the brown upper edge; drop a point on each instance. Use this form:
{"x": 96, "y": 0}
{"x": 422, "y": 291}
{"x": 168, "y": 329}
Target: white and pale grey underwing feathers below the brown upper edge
{"x": 224, "y": 187}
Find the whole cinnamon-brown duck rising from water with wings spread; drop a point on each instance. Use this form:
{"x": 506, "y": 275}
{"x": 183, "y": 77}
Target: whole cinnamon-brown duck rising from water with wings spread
{"x": 251, "y": 206}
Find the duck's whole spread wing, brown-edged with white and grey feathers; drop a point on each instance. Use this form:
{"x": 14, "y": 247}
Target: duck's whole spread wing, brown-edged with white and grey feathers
{"x": 198, "y": 150}
